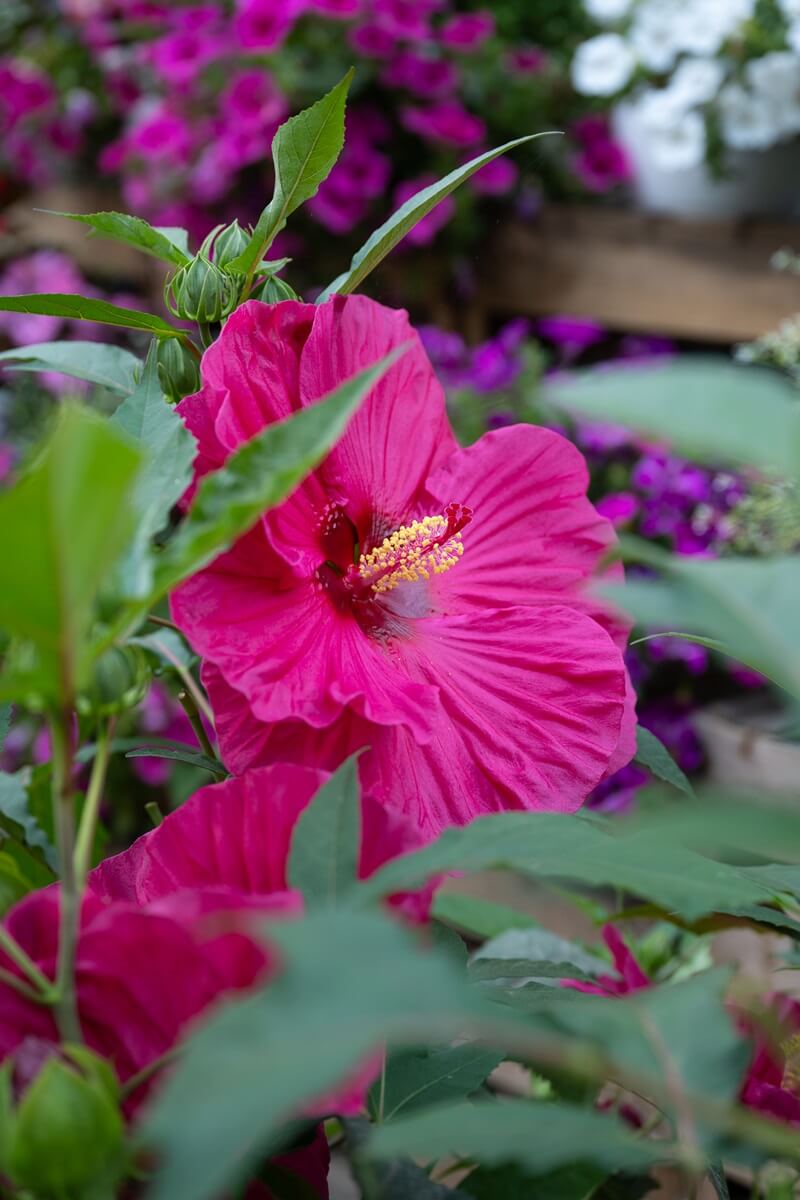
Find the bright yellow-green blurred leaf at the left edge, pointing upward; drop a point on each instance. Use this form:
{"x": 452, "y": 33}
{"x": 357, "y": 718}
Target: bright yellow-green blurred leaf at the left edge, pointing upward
{"x": 64, "y": 525}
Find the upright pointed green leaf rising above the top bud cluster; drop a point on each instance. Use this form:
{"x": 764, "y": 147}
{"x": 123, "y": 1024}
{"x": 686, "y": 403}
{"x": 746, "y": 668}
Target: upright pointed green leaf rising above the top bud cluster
{"x": 304, "y": 152}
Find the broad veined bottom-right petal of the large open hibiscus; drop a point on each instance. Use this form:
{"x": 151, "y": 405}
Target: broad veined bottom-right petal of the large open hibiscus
{"x": 532, "y": 705}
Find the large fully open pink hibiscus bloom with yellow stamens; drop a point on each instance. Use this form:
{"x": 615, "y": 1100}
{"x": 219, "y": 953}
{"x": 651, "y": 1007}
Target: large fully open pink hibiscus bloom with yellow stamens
{"x": 411, "y": 597}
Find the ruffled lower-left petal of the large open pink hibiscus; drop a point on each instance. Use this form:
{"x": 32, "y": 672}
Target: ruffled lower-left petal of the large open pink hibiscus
{"x": 292, "y": 653}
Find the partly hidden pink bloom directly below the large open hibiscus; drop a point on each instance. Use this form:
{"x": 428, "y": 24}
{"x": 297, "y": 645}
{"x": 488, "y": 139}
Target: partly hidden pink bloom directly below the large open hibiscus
{"x": 237, "y": 837}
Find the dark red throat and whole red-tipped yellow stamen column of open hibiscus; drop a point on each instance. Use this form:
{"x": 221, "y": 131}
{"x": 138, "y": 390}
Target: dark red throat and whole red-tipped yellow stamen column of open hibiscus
{"x": 412, "y": 553}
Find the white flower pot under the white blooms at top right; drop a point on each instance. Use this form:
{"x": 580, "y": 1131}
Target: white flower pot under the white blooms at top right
{"x": 761, "y": 183}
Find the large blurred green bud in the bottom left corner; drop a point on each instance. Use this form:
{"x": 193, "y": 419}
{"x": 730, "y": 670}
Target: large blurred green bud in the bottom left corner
{"x": 64, "y": 1139}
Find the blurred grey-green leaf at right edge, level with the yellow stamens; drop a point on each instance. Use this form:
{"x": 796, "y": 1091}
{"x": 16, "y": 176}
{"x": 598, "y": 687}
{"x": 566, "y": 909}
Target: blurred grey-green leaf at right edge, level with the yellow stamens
{"x": 748, "y": 604}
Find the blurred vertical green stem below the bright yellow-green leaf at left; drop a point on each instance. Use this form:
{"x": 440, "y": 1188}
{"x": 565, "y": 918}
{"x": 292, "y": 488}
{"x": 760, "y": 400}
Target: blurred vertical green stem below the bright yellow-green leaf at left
{"x": 67, "y": 1004}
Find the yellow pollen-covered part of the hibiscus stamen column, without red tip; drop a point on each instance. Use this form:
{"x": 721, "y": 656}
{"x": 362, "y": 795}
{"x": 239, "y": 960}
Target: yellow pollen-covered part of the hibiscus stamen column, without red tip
{"x": 411, "y": 554}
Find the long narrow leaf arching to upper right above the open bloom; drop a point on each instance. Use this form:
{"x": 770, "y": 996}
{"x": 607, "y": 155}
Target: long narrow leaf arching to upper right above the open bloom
{"x": 393, "y": 231}
